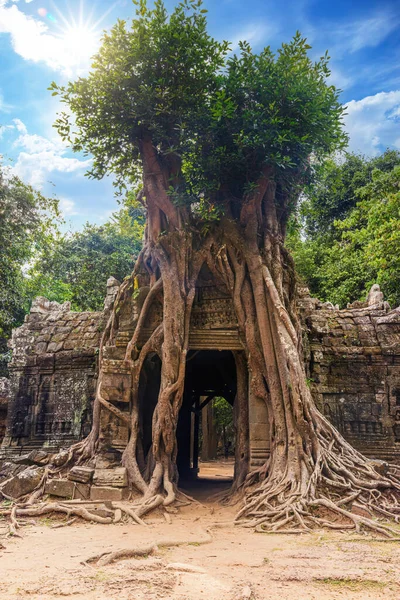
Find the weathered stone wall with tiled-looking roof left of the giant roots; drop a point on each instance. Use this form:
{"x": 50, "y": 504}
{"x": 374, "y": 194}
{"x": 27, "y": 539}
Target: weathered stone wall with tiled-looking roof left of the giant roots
{"x": 52, "y": 377}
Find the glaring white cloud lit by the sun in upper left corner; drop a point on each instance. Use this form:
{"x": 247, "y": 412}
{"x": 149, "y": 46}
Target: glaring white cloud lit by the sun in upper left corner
{"x": 31, "y": 38}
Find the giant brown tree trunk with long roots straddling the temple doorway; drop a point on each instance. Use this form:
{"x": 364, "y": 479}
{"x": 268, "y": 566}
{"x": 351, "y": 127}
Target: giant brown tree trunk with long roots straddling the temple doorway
{"x": 311, "y": 466}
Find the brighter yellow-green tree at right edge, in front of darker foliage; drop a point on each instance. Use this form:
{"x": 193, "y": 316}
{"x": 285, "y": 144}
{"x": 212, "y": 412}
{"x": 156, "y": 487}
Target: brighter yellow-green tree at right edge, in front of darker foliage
{"x": 368, "y": 250}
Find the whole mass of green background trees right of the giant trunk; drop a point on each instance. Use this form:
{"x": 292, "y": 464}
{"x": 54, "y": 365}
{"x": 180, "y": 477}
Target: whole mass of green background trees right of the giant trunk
{"x": 345, "y": 237}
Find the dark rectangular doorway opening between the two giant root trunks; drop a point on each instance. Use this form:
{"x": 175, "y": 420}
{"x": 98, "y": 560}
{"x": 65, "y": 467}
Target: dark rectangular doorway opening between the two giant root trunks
{"x": 210, "y": 385}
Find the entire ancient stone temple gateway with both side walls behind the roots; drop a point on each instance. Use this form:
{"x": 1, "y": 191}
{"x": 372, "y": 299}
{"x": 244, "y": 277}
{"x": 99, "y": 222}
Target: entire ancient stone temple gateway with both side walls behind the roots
{"x": 352, "y": 360}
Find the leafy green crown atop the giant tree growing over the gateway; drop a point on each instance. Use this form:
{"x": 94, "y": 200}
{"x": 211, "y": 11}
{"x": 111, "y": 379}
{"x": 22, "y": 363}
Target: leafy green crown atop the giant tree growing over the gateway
{"x": 217, "y": 119}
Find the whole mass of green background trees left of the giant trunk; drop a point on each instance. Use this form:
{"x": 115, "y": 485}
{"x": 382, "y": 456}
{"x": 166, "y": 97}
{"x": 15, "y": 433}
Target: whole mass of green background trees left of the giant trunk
{"x": 37, "y": 260}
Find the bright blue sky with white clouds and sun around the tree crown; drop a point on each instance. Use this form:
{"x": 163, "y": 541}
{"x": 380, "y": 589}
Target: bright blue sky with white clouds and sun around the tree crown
{"x": 44, "y": 40}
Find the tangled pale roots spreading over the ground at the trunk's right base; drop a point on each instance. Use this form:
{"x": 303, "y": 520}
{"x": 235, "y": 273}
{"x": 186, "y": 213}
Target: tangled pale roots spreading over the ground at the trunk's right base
{"x": 344, "y": 492}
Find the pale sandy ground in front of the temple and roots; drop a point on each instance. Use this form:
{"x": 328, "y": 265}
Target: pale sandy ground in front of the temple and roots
{"x": 48, "y": 563}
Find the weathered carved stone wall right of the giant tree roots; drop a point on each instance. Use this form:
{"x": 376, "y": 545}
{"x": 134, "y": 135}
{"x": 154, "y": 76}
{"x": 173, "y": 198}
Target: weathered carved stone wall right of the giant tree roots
{"x": 354, "y": 373}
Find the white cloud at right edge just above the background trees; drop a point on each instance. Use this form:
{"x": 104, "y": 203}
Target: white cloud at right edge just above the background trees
{"x": 373, "y": 122}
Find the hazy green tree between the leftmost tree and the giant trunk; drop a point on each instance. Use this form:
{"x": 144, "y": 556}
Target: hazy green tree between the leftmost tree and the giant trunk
{"x": 76, "y": 267}
